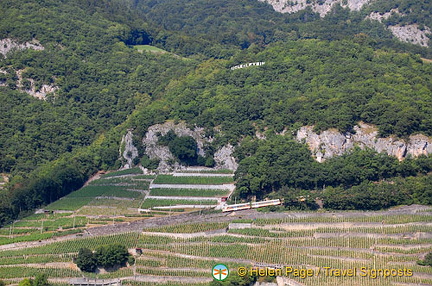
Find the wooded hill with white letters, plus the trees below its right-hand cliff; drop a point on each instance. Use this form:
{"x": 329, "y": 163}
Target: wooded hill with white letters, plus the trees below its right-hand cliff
{"x": 325, "y": 84}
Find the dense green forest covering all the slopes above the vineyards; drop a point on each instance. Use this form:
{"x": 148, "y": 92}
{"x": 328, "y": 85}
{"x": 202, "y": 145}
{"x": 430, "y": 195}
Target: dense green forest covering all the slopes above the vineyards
{"x": 328, "y": 72}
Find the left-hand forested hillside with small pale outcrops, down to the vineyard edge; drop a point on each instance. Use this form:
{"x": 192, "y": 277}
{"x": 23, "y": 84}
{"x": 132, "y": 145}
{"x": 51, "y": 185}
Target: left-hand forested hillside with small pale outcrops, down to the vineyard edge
{"x": 101, "y": 80}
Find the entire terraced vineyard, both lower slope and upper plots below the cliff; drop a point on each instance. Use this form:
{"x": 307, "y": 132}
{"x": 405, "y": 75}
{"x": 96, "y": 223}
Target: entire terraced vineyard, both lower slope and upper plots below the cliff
{"x": 182, "y": 249}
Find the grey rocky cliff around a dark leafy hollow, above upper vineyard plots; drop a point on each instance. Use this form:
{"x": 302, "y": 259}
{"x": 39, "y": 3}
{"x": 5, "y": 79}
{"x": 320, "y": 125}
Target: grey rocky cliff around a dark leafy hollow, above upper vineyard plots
{"x": 223, "y": 157}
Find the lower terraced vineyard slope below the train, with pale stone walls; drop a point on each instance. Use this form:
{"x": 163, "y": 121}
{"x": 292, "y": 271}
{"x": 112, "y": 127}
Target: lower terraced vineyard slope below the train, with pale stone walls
{"x": 183, "y": 254}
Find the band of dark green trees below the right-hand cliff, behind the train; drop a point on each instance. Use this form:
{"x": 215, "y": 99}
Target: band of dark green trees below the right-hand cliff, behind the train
{"x": 361, "y": 179}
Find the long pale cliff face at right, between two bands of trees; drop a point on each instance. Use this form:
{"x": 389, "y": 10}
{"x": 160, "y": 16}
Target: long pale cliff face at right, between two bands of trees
{"x": 333, "y": 143}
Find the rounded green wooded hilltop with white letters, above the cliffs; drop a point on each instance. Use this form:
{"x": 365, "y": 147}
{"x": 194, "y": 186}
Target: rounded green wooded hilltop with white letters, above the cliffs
{"x": 326, "y": 84}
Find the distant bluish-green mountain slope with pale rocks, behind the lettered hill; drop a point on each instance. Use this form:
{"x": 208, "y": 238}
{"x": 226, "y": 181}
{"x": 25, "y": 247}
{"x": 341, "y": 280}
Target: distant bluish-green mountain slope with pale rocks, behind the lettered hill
{"x": 246, "y": 22}
